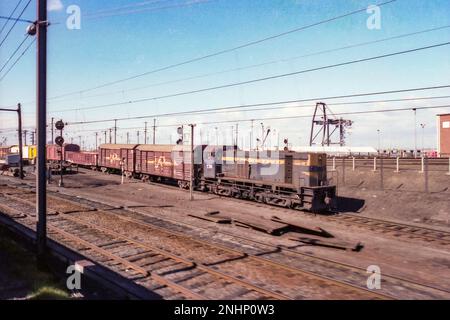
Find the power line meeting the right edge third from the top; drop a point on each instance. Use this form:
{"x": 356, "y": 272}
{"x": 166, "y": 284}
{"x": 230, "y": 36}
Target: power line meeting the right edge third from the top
{"x": 356, "y": 95}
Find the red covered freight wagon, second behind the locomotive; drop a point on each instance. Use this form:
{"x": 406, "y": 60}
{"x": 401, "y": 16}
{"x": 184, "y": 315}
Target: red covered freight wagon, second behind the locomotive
{"x": 111, "y": 156}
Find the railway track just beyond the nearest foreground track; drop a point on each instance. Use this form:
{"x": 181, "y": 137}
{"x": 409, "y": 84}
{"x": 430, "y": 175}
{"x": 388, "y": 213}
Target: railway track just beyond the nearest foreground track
{"x": 284, "y": 259}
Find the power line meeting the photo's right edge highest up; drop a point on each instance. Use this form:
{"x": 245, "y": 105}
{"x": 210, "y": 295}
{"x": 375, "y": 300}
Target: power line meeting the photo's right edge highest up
{"x": 264, "y": 63}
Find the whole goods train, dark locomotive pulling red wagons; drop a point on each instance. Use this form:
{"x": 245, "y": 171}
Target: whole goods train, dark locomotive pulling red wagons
{"x": 285, "y": 178}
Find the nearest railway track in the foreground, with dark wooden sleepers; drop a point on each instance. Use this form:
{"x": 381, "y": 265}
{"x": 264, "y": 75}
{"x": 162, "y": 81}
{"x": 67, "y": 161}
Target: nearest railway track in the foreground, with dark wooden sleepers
{"x": 222, "y": 267}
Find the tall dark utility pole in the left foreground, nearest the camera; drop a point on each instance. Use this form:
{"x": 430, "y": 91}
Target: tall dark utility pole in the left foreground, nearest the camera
{"x": 41, "y": 181}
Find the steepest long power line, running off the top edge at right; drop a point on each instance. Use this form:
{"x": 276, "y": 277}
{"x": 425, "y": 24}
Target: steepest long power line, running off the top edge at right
{"x": 245, "y": 45}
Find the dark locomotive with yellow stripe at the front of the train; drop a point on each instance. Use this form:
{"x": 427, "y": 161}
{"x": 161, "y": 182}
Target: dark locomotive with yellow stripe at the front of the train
{"x": 284, "y": 178}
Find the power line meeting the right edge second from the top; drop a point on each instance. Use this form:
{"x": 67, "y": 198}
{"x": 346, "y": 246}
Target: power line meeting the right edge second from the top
{"x": 283, "y": 75}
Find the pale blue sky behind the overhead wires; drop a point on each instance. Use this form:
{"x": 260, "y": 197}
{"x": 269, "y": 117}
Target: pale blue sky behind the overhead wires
{"x": 111, "y": 48}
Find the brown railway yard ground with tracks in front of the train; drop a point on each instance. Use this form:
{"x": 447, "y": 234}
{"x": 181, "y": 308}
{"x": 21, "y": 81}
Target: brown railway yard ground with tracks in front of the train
{"x": 151, "y": 242}
